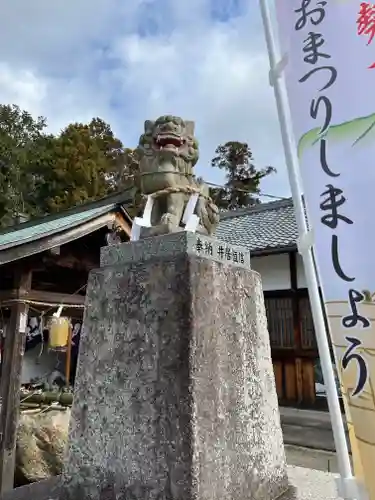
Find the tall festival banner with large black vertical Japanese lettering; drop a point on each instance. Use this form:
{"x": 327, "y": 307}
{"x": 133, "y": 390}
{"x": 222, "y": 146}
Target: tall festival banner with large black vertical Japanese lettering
{"x": 330, "y": 80}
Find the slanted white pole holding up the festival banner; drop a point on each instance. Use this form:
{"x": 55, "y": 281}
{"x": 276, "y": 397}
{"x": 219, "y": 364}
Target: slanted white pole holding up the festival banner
{"x": 348, "y": 485}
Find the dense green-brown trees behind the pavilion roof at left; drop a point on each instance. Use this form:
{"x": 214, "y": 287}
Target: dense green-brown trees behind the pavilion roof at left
{"x": 42, "y": 173}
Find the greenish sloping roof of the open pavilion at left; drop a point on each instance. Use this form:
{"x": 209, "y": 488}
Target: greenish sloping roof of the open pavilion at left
{"x": 57, "y": 223}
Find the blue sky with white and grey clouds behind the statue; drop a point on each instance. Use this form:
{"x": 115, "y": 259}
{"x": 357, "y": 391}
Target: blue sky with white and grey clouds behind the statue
{"x": 131, "y": 60}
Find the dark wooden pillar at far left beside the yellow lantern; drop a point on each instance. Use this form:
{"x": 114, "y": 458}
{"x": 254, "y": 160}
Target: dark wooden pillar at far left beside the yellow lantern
{"x": 11, "y": 379}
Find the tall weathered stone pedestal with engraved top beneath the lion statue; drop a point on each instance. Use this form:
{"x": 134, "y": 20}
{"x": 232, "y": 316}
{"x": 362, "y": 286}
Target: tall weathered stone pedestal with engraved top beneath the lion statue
{"x": 175, "y": 395}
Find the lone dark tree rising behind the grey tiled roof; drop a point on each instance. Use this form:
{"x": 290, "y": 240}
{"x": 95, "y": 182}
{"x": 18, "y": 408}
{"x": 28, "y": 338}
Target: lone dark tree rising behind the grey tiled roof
{"x": 242, "y": 185}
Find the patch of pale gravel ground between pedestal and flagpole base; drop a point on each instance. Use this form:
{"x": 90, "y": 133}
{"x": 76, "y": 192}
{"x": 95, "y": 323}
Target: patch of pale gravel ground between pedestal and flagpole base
{"x": 311, "y": 484}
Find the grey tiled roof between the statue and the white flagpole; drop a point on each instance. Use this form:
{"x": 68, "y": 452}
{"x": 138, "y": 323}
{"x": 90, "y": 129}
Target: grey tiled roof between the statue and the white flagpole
{"x": 268, "y": 226}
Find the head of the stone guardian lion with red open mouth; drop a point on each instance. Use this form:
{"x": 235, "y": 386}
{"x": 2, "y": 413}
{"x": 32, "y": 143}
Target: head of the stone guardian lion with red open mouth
{"x": 170, "y": 139}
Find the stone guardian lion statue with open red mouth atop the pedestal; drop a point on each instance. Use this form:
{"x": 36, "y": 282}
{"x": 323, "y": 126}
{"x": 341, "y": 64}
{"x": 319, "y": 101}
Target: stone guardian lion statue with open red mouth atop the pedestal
{"x": 168, "y": 152}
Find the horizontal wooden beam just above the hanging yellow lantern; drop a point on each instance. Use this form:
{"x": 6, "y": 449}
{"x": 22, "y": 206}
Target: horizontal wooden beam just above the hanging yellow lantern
{"x": 8, "y": 296}
